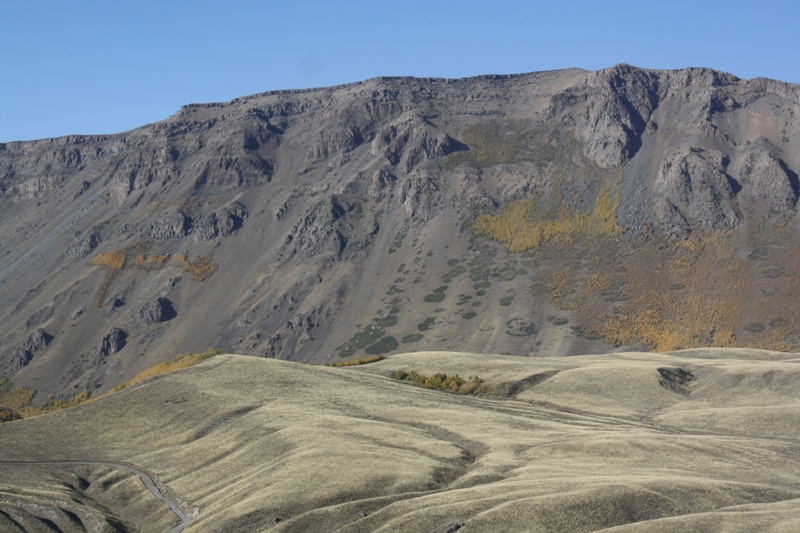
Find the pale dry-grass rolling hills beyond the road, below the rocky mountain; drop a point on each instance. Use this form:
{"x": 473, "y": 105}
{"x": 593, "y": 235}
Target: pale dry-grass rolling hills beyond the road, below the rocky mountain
{"x": 687, "y": 441}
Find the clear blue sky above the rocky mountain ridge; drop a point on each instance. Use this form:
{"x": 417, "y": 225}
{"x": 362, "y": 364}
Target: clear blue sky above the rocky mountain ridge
{"x": 90, "y": 66}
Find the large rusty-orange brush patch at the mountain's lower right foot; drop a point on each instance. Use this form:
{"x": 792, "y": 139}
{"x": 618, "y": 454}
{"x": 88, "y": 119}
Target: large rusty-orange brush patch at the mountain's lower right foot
{"x": 700, "y": 292}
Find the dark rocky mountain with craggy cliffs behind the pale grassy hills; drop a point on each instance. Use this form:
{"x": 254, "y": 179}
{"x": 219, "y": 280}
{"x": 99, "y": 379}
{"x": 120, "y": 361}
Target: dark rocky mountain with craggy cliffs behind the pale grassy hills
{"x": 543, "y": 214}
